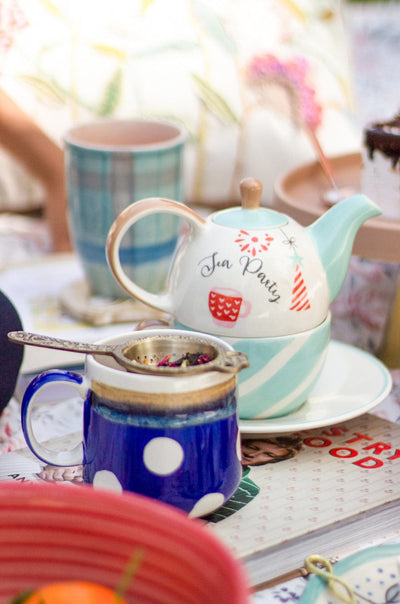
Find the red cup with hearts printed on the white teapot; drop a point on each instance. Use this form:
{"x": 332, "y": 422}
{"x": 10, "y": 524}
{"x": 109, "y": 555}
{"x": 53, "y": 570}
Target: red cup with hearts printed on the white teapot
{"x": 226, "y": 305}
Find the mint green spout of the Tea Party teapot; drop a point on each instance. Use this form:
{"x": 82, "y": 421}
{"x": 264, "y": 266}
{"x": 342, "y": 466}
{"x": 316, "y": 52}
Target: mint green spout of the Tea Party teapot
{"x": 333, "y": 235}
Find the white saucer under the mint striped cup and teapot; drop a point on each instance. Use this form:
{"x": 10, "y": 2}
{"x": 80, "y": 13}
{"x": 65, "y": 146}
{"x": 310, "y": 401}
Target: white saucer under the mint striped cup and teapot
{"x": 352, "y": 382}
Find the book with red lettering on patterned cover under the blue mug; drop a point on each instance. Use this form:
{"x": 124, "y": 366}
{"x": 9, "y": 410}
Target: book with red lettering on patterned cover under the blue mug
{"x": 338, "y": 493}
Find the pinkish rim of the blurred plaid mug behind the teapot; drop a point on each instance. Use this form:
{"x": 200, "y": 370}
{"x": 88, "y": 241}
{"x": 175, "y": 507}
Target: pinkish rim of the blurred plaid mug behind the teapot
{"x": 178, "y": 137}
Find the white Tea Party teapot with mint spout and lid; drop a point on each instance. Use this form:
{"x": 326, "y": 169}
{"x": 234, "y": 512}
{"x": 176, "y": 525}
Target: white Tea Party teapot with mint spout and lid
{"x": 249, "y": 271}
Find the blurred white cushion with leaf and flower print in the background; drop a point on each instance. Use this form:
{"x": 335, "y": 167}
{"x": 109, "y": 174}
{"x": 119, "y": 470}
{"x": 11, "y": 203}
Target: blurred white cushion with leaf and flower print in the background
{"x": 254, "y": 83}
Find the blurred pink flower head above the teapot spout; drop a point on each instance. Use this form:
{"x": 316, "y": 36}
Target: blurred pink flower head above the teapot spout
{"x": 292, "y": 74}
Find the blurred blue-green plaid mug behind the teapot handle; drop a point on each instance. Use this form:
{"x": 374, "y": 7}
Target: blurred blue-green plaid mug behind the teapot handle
{"x": 110, "y": 164}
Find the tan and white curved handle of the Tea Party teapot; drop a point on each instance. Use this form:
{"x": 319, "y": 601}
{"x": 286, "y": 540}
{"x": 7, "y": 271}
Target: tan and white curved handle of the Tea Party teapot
{"x": 131, "y": 214}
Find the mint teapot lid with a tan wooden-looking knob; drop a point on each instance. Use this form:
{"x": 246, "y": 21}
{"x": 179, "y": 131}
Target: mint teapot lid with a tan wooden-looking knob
{"x": 249, "y": 215}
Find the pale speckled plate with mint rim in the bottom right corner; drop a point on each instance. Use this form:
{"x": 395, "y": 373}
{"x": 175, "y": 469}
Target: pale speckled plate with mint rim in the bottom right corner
{"x": 372, "y": 574}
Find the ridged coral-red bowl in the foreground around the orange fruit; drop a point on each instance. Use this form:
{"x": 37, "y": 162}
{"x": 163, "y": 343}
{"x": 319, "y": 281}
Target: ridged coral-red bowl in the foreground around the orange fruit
{"x": 58, "y": 532}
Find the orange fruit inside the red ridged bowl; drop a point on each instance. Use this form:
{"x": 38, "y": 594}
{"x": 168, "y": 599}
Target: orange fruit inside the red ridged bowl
{"x": 67, "y": 592}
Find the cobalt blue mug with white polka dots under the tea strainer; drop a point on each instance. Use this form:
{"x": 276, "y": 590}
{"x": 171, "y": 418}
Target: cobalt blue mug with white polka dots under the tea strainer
{"x": 174, "y": 438}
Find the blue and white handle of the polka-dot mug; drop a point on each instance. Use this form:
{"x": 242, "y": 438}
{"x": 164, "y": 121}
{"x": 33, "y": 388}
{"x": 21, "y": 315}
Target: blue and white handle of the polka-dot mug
{"x": 73, "y": 457}
